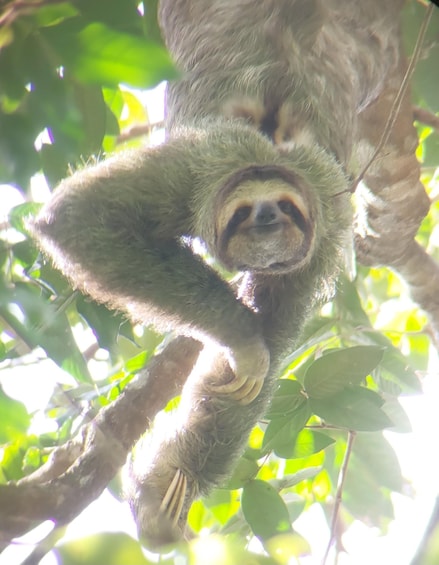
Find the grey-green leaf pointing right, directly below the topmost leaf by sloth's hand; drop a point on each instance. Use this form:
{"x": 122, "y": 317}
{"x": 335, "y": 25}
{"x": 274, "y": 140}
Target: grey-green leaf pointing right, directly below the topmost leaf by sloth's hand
{"x": 354, "y": 408}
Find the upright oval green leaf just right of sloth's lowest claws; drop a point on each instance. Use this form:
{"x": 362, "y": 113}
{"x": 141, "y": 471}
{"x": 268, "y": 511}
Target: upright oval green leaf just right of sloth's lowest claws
{"x": 264, "y": 510}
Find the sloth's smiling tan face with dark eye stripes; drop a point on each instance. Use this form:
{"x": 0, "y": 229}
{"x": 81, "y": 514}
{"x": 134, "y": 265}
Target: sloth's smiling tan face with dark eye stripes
{"x": 265, "y": 226}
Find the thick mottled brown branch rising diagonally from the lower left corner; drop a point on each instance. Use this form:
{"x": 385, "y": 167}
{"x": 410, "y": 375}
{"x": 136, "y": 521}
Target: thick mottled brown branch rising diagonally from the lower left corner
{"x": 79, "y": 471}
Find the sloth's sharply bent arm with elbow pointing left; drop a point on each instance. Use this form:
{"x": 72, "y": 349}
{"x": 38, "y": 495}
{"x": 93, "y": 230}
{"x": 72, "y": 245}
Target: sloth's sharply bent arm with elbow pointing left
{"x": 115, "y": 231}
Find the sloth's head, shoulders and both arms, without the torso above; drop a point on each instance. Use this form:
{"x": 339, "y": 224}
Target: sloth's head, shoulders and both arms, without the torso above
{"x": 118, "y": 231}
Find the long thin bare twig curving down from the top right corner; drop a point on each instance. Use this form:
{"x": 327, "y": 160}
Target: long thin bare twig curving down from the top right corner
{"x": 396, "y": 106}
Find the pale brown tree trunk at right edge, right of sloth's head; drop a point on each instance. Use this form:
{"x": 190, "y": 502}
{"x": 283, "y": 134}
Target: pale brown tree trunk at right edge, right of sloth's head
{"x": 394, "y": 201}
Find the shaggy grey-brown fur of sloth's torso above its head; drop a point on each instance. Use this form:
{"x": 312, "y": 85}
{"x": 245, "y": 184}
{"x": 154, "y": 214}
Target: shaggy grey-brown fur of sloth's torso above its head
{"x": 320, "y": 61}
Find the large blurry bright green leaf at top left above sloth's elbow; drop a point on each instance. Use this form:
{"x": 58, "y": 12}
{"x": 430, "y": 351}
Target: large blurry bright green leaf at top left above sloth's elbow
{"x": 98, "y": 55}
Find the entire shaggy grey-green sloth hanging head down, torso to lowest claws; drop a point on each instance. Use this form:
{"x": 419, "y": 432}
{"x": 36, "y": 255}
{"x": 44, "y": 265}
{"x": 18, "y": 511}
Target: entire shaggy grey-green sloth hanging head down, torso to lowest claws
{"x": 266, "y": 128}
